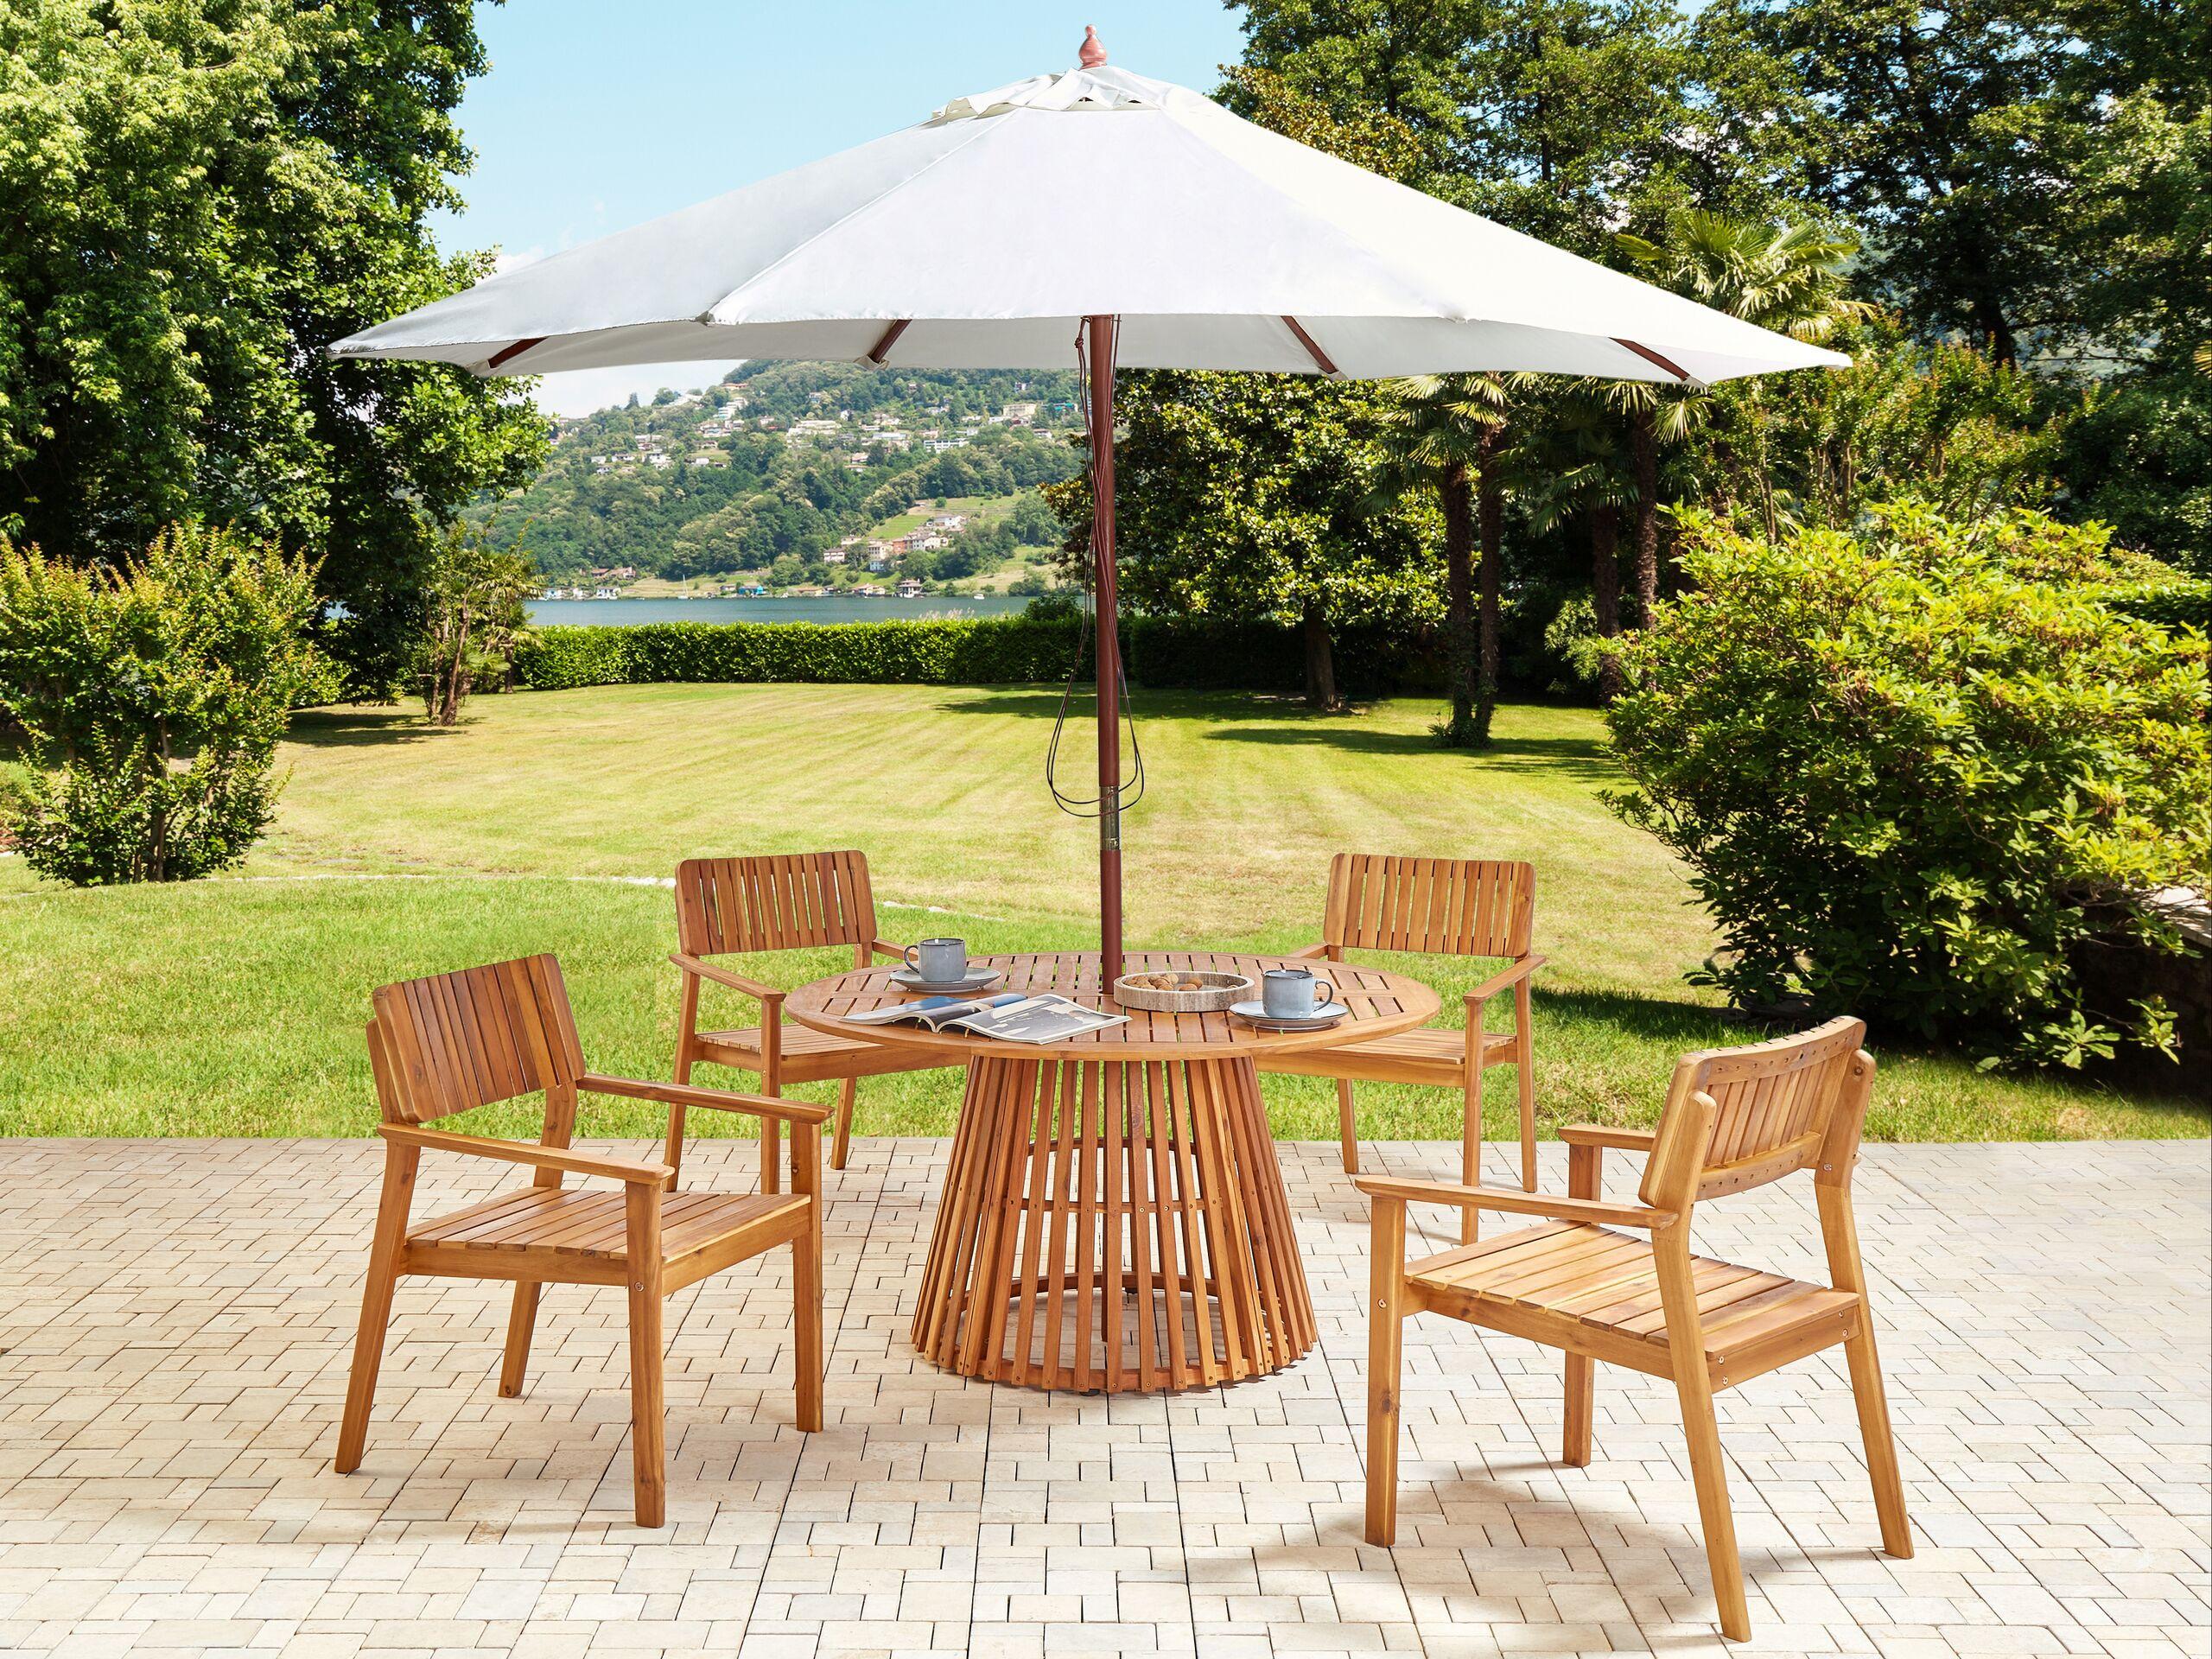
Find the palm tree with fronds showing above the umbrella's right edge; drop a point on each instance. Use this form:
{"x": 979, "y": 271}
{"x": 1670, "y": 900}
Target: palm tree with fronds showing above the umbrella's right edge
{"x": 1782, "y": 278}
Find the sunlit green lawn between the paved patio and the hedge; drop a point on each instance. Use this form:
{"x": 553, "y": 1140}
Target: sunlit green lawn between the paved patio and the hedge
{"x": 547, "y": 822}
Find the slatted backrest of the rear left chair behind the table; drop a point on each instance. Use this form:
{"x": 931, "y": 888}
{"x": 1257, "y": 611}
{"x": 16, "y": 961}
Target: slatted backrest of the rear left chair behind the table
{"x": 773, "y": 904}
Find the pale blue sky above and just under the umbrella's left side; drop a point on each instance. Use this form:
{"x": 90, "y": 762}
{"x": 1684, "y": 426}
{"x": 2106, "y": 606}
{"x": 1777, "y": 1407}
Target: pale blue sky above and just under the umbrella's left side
{"x": 598, "y": 116}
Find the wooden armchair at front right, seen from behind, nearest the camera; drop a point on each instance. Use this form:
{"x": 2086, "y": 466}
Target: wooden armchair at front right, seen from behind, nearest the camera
{"x": 1735, "y": 1118}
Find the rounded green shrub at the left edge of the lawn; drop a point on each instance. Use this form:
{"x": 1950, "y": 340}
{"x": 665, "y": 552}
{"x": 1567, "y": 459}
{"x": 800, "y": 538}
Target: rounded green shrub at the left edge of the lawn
{"x": 152, "y": 700}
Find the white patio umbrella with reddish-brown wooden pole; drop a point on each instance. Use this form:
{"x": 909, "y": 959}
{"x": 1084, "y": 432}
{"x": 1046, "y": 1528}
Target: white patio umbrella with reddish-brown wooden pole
{"x": 1085, "y": 220}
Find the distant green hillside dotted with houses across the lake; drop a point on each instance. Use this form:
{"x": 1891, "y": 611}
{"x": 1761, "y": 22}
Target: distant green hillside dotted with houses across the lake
{"x": 789, "y": 479}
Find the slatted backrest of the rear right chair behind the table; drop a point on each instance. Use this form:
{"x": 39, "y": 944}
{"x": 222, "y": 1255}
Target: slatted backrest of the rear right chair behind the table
{"x": 1434, "y": 906}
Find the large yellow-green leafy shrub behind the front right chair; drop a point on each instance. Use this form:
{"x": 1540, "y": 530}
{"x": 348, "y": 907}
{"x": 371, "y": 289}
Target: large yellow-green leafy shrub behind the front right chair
{"x": 1919, "y": 769}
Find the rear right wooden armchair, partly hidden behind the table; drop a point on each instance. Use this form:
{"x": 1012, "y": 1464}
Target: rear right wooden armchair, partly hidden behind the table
{"x": 1439, "y": 908}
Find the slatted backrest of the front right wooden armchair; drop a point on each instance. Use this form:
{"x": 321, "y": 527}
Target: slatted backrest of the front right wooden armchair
{"x": 1777, "y": 1109}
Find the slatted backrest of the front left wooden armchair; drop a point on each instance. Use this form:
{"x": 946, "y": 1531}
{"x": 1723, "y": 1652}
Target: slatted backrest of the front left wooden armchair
{"x": 472, "y": 1039}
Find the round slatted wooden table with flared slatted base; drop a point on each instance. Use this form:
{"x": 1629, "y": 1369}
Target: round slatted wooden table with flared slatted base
{"x": 1114, "y": 1213}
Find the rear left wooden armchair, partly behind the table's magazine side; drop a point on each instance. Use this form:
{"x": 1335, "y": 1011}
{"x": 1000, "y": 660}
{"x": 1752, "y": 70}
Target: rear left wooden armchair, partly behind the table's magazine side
{"x": 778, "y": 904}
